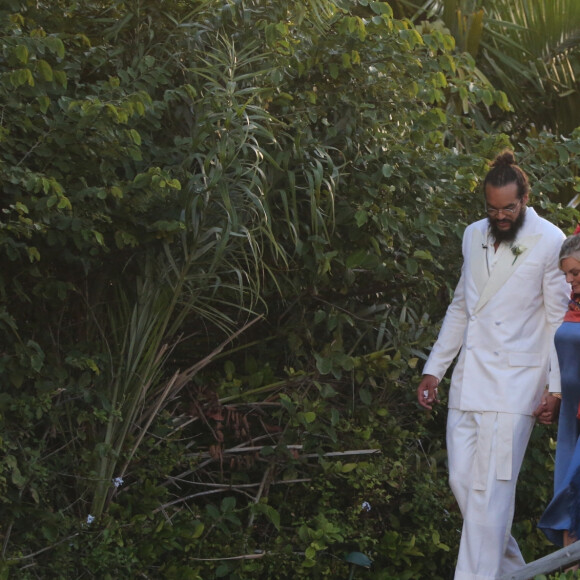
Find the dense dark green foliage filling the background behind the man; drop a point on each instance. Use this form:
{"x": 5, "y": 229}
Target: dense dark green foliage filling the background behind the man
{"x": 226, "y": 232}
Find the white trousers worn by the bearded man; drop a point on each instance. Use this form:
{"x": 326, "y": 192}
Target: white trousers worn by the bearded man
{"x": 485, "y": 453}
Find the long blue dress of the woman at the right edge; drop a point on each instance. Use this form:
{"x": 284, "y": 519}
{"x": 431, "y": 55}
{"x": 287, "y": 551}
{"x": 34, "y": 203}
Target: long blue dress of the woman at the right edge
{"x": 563, "y": 512}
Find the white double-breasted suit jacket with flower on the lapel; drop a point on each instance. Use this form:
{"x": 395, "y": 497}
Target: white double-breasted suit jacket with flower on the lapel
{"x": 504, "y": 323}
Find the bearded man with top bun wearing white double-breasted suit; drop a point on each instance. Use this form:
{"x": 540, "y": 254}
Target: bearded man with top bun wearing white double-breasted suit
{"x": 508, "y": 303}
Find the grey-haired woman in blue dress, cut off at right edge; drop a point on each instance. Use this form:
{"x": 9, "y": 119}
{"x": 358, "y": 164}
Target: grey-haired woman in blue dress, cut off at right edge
{"x": 561, "y": 520}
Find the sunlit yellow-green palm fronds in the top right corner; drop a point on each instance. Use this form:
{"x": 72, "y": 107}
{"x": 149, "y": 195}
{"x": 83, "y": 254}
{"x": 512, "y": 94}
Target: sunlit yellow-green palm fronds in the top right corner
{"x": 530, "y": 49}
